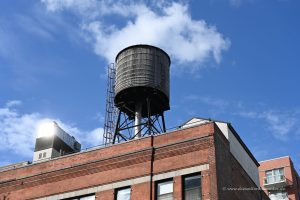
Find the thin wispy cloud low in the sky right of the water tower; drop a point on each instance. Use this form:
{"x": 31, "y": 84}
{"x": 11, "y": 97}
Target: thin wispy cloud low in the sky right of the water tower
{"x": 281, "y": 124}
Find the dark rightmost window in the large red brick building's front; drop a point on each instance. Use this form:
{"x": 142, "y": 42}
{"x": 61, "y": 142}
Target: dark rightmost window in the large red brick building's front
{"x": 192, "y": 187}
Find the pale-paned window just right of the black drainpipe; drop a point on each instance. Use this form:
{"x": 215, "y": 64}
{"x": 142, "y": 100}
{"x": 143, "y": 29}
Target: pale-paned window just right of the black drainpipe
{"x": 164, "y": 190}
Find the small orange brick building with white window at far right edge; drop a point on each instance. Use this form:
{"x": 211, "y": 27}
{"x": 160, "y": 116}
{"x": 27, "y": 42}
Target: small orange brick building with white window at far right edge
{"x": 279, "y": 179}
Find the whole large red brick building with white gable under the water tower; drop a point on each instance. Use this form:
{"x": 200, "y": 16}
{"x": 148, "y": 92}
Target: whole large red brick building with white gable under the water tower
{"x": 201, "y": 160}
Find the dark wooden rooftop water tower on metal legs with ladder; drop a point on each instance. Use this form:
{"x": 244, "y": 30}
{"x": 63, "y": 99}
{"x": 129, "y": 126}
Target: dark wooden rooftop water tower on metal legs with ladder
{"x": 141, "y": 90}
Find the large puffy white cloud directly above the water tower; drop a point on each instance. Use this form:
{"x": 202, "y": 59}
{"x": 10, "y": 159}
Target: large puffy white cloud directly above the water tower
{"x": 168, "y": 25}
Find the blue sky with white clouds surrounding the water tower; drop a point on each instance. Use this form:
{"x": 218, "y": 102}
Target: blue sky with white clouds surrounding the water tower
{"x": 232, "y": 60}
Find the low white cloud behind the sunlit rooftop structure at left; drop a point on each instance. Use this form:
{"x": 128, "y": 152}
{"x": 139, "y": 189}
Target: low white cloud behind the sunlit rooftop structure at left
{"x": 18, "y": 131}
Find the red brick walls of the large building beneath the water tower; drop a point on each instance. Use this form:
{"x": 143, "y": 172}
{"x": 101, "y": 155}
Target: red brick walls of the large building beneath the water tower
{"x": 100, "y": 171}
